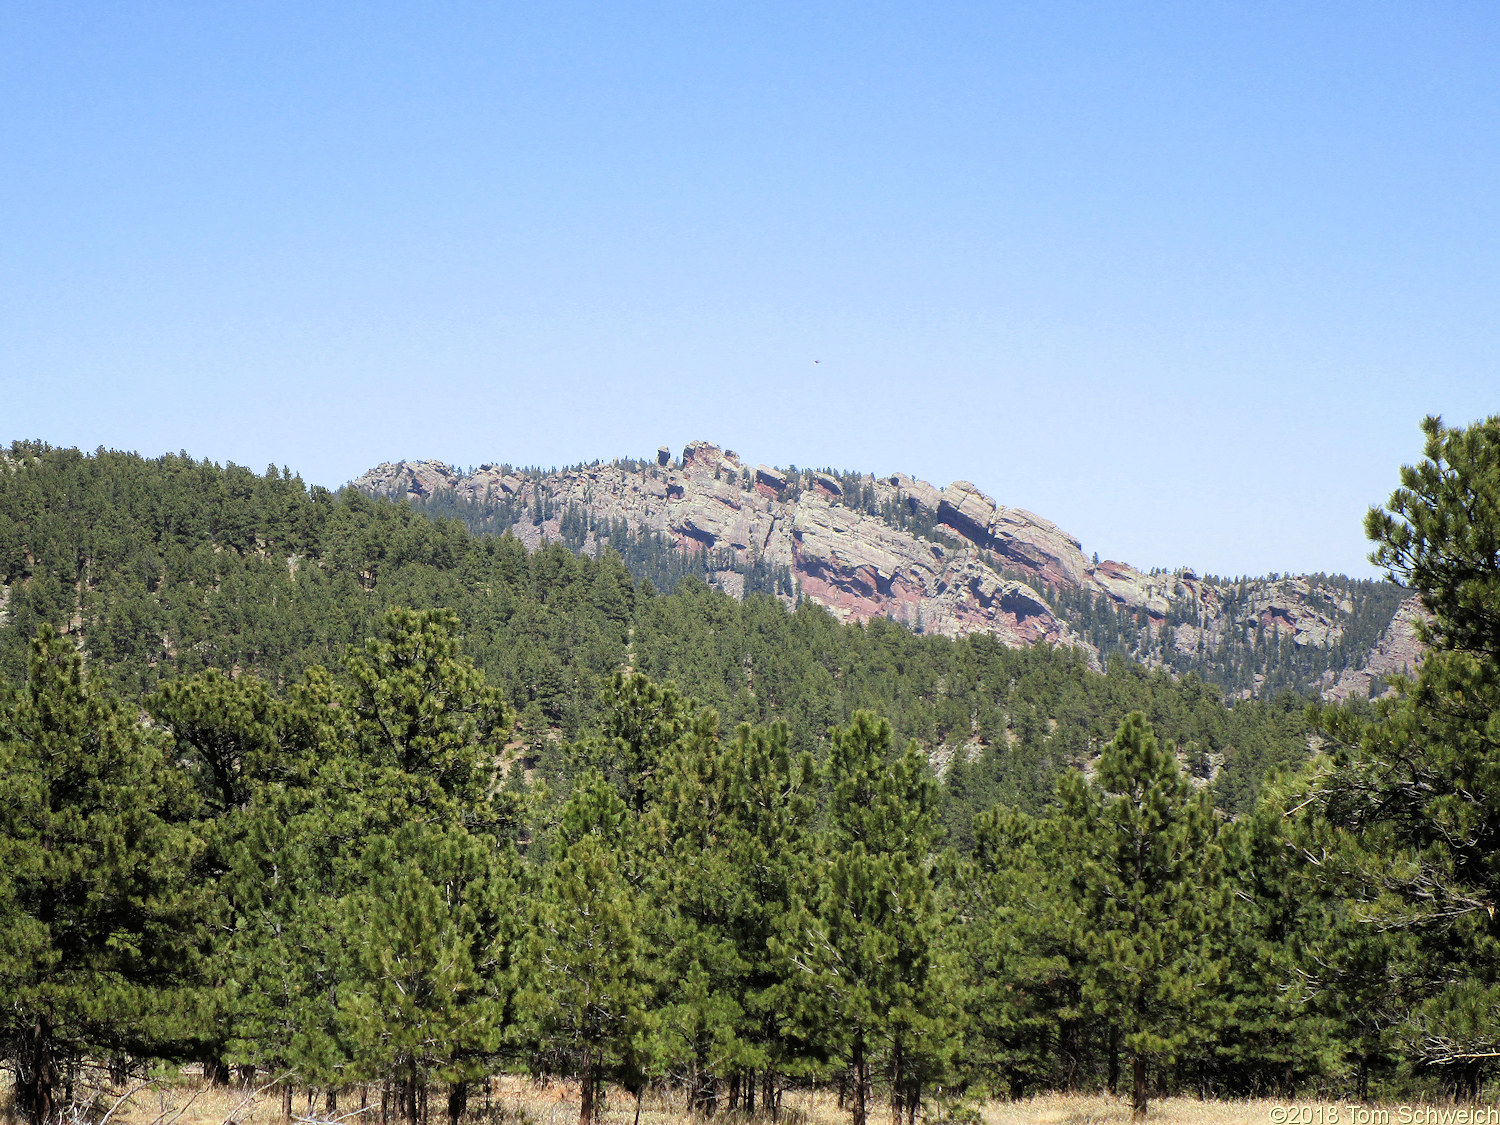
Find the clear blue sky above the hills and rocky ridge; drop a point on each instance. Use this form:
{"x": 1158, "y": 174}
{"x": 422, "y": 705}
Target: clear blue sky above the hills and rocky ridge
{"x": 1183, "y": 278}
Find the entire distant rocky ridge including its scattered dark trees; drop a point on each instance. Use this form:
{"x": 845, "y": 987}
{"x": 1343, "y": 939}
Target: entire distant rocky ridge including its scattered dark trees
{"x": 947, "y": 562}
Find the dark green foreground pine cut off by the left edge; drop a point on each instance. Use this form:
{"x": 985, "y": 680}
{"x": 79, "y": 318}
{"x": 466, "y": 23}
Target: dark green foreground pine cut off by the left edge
{"x": 97, "y": 914}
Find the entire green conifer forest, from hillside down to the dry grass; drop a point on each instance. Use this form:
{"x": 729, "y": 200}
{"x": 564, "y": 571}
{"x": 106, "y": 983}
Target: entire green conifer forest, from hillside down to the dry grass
{"x": 316, "y": 791}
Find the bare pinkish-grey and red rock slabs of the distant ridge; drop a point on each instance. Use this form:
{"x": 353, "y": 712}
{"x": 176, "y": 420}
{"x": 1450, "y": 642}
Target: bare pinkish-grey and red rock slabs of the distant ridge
{"x": 860, "y": 568}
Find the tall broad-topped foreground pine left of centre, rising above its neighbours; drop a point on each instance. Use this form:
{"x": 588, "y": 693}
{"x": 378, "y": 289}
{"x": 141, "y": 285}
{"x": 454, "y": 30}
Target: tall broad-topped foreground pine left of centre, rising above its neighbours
{"x": 431, "y": 902}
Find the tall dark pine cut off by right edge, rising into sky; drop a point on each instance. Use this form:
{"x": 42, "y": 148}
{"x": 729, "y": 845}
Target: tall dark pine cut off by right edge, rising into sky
{"x": 1414, "y": 790}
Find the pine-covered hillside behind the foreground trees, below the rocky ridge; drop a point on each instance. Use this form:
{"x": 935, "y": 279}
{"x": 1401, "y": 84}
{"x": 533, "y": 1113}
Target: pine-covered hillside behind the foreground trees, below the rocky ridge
{"x": 163, "y": 568}
